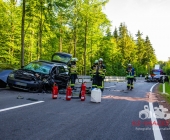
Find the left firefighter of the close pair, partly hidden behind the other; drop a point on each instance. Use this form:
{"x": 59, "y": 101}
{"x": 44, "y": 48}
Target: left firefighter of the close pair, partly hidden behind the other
{"x": 93, "y": 73}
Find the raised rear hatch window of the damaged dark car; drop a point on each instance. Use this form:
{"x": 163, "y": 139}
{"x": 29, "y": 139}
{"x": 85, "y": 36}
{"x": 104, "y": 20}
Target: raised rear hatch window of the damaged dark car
{"x": 61, "y": 58}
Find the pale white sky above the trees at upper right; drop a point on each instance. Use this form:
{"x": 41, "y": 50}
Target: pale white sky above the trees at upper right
{"x": 151, "y": 17}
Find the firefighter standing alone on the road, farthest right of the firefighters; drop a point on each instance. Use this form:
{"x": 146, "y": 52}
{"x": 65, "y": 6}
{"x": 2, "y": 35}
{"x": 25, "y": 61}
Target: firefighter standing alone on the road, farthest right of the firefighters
{"x": 131, "y": 74}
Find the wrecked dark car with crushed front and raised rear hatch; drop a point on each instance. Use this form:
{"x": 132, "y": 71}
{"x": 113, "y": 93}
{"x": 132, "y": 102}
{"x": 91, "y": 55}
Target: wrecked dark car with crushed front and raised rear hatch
{"x": 41, "y": 75}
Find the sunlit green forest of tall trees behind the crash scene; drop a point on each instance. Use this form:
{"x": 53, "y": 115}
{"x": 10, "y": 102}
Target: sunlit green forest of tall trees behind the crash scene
{"x": 35, "y": 29}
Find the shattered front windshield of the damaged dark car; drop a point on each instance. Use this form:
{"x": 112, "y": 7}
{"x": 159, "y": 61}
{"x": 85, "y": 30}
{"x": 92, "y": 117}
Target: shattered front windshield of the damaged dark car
{"x": 38, "y": 67}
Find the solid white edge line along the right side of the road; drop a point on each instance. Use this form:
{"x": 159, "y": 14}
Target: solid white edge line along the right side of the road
{"x": 155, "y": 128}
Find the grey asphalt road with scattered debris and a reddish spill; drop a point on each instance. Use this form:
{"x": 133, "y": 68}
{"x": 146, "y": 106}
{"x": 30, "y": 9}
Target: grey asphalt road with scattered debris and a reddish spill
{"x": 44, "y": 118}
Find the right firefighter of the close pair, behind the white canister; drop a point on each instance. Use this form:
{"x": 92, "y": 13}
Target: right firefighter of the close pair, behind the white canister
{"x": 101, "y": 74}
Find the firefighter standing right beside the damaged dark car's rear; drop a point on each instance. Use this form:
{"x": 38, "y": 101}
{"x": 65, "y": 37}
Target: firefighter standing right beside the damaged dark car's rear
{"x": 73, "y": 72}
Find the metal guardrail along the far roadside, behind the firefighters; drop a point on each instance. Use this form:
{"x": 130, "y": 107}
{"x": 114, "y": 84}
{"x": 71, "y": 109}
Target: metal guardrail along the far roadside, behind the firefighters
{"x": 86, "y": 78}
